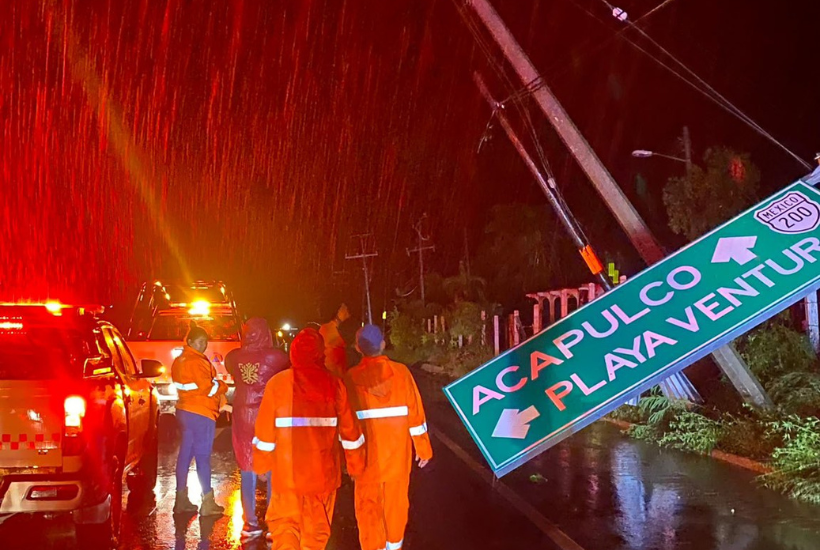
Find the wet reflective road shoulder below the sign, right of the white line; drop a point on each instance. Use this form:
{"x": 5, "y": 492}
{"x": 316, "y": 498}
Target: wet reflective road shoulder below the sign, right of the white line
{"x": 607, "y": 491}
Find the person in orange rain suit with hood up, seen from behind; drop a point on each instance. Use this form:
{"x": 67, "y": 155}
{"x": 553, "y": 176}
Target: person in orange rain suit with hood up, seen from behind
{"x": 303, "y": 417}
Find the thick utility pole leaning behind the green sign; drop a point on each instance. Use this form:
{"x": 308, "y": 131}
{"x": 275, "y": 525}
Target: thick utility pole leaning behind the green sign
{"x": 727, "y": 357}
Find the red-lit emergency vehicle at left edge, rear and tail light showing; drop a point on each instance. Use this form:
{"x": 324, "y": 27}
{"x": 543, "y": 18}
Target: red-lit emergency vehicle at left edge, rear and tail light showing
{"x": 78, "y": 415}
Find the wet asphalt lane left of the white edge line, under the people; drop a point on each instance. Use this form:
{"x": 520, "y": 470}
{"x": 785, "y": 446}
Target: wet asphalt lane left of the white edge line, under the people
{"x": 448, "y": 510}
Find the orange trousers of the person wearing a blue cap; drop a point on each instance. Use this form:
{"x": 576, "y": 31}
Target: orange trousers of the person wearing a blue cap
{"x": 381, "y": 512}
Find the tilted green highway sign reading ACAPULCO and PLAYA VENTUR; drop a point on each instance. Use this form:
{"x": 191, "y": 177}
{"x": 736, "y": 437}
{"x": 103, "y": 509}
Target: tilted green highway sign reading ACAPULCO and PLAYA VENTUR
{"x": 665, "y": 318}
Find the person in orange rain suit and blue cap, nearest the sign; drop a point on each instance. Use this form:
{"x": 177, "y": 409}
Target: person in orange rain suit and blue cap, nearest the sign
{"x": 388, "y": 404}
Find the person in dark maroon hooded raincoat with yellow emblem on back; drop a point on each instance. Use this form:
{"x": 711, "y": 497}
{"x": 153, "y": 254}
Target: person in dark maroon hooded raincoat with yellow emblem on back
{"x": 251, "y": 367}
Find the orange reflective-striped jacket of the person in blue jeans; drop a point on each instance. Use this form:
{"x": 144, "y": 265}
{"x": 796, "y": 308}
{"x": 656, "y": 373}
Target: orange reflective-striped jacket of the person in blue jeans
{"x": 195, "y": 379}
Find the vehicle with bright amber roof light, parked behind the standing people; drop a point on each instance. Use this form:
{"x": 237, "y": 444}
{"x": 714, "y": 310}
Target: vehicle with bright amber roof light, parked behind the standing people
{"x": 161, "y": 318}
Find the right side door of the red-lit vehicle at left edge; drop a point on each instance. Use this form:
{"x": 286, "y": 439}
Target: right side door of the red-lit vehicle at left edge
{"x": 136, "y": 394}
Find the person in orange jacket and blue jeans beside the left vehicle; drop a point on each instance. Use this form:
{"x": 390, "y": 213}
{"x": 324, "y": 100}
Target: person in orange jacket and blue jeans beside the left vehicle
{"x": 201, "y": 397}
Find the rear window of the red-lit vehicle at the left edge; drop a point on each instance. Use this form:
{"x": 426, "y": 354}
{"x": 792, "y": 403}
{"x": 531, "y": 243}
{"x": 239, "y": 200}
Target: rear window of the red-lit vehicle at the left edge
{"x": 40, "y": 353}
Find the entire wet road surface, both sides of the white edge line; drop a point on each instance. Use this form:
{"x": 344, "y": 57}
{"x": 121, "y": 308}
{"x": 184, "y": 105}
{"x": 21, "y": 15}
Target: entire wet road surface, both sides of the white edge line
{"x": 597, "y": 490}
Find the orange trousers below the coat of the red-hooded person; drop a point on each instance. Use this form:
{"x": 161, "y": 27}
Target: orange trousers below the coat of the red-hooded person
{"x": 300, "y": 522}
